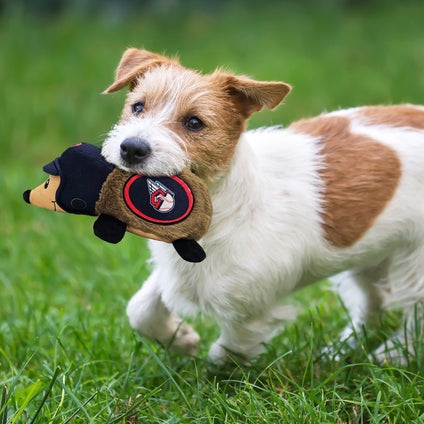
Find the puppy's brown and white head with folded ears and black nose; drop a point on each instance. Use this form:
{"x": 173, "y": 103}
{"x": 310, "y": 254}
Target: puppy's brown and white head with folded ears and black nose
{"x": 175, "y": 117}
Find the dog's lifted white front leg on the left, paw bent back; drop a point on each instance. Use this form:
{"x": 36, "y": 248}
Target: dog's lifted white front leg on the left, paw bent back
{"x": 151, "y": 318}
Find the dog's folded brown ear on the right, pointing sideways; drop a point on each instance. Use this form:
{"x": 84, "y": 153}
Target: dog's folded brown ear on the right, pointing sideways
{"x": 251, "y": 96}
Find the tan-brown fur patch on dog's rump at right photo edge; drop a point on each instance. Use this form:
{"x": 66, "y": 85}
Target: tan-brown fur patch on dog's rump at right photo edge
{"x": 396, "y": 116}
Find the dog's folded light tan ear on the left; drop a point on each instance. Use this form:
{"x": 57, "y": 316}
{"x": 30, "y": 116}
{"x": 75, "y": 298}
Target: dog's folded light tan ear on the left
{"x": 135, "y": 62}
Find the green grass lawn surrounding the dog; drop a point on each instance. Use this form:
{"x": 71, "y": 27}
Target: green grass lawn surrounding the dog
{"x": 67, "y": 353}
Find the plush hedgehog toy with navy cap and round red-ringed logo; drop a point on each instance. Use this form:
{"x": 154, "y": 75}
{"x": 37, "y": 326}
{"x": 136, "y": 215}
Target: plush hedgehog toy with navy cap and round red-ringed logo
{"x": 174, "y": 209}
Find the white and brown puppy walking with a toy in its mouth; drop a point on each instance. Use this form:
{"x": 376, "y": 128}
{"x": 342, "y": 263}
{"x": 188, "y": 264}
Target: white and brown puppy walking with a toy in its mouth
{"x": 337, "y": 195}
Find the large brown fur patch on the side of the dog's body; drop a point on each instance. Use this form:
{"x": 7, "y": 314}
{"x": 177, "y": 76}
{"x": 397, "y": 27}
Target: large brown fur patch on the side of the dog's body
{"x": 360, "y": 177}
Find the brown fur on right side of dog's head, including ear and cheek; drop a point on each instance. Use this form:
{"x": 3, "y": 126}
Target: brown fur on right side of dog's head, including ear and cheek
{"x": 227, "y": 103}
